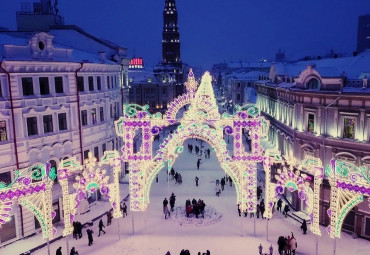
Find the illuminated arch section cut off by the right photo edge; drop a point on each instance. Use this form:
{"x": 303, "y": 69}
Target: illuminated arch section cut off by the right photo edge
{"x": 348, "y": 186}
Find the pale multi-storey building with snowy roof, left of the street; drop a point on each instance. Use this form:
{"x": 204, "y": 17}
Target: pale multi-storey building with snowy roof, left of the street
{"x": 60, "y": 91}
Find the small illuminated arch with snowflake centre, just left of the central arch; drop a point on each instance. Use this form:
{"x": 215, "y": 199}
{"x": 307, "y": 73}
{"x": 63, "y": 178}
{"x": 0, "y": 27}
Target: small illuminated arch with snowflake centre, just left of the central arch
{"x": 92, "y": 176}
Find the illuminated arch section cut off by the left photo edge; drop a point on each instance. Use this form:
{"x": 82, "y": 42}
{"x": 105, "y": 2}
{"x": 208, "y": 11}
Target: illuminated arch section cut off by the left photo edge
{"x": 30, "y": 188}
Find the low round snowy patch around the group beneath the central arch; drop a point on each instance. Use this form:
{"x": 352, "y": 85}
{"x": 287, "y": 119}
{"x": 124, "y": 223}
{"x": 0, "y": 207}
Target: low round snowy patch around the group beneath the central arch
{"x": 211, "y": 216}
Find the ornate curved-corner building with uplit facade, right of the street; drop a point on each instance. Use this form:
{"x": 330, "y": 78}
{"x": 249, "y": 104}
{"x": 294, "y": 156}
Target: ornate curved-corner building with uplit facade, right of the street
{"x": 321, "y": 108}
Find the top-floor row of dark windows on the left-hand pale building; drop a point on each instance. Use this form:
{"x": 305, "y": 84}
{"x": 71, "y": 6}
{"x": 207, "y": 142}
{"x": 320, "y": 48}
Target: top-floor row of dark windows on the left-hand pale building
{"x": 44, "y": 84}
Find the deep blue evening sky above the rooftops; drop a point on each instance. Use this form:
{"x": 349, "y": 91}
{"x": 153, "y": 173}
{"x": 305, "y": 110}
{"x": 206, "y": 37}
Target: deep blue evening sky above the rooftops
{"x": 213, "y": 31}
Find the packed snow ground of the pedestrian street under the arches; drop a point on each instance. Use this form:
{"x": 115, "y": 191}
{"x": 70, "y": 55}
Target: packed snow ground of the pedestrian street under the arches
{"x": 148, "y": 233}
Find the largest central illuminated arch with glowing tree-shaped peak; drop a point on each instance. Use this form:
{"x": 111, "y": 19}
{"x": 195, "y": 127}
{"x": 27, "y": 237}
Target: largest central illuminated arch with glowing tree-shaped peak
{"x": 202, "y": 120}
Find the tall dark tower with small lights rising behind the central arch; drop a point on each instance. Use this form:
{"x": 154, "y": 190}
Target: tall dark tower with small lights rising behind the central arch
{"x": 171, "y": 64}
